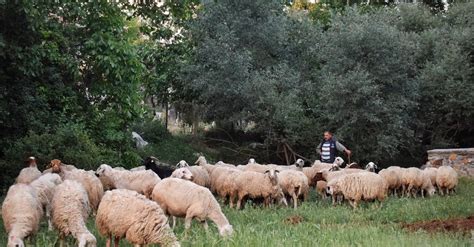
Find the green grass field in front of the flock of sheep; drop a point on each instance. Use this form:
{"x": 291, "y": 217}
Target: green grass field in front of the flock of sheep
{"x": 324, "y": 225}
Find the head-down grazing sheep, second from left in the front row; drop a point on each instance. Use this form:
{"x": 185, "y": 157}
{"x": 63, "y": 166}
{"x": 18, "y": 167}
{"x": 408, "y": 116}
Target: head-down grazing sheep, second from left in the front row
{"x": 70, "y": 210}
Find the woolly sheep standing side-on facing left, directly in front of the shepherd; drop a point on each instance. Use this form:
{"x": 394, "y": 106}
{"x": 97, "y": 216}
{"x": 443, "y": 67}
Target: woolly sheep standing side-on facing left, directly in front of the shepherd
{"x": 359, "y": 186}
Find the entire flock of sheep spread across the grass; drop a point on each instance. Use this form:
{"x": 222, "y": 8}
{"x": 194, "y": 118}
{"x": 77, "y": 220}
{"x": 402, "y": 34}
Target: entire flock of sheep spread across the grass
{"x": 136, "y": 204}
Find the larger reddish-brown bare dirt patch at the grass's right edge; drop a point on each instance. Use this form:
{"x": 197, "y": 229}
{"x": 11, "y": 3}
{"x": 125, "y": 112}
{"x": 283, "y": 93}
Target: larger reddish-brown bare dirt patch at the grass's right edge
{"x": 464, "y": 225}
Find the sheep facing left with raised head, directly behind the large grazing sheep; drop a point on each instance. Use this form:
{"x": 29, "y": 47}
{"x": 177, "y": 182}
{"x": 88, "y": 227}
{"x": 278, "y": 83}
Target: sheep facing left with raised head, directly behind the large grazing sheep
{"x": 139, "y": 181}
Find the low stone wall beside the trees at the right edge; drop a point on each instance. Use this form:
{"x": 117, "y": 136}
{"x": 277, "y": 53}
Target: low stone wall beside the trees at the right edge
{"x": 461, "y": 159}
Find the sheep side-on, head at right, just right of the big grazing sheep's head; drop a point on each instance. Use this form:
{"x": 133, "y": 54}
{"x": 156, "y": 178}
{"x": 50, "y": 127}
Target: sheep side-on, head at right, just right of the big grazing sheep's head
{"x": 257, "y": 185}
